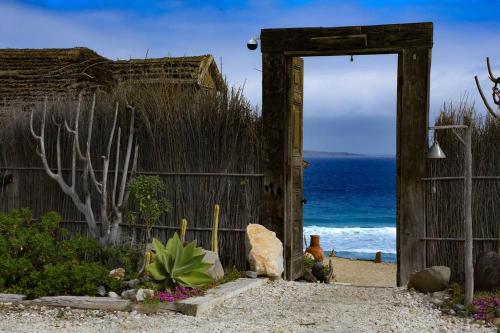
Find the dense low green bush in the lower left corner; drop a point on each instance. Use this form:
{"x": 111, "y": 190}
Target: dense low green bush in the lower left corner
{"x": 34, "y": 260}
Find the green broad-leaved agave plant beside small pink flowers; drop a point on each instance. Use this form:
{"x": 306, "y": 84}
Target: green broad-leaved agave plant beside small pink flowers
{"x": 176, "y": 264}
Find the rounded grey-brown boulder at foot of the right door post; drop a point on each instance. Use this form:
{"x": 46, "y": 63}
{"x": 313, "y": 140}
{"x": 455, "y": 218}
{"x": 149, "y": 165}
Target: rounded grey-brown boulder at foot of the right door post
{"x": 429, "y": 280}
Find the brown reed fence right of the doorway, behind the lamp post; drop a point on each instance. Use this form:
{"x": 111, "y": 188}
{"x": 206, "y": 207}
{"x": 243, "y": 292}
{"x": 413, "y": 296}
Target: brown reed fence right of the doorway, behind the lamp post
{"x": 443, "y": 229}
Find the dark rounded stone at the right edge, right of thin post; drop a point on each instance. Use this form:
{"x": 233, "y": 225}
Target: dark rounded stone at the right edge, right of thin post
{"x": 487, "y": 271}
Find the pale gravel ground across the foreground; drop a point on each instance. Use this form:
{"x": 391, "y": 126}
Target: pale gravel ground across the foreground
{"x": 276, "y": 307}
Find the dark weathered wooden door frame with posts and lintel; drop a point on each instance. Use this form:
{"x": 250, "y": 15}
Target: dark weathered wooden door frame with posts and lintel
{"x": 413, "y": 44}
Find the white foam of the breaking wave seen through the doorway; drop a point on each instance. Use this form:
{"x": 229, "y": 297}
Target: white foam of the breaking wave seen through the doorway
{"x": 362, "y": 240}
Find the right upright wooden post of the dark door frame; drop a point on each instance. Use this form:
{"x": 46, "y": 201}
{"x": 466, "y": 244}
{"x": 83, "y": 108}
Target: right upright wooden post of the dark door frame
{"x": 413, "y": 108}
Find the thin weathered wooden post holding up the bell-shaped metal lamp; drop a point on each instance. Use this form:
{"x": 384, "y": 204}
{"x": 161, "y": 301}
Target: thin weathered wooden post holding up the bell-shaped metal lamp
{"x": 468, "y": 263}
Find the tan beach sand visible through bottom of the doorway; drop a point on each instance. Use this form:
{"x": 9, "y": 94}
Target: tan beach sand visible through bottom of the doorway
{"x": 364, "y": 273}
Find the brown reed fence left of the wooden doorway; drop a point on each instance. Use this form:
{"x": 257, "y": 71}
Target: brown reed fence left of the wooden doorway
{"x": 205, "y": 146}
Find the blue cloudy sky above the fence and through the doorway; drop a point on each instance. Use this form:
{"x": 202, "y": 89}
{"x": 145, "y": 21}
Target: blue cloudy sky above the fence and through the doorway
{"x": 348, "y": 106}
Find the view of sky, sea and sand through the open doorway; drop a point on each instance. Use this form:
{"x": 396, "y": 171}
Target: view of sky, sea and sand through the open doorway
{"x": 349, "y": 184}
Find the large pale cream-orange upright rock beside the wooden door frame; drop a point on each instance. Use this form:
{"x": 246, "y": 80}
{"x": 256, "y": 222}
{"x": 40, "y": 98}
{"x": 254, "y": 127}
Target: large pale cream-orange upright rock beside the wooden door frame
{"x": 264, "y": 251}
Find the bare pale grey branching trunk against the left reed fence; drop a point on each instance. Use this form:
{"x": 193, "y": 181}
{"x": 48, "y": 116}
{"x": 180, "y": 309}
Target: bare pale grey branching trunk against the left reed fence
{"x": 109, "y": 230}
